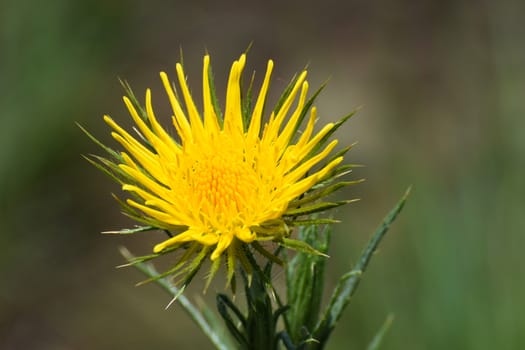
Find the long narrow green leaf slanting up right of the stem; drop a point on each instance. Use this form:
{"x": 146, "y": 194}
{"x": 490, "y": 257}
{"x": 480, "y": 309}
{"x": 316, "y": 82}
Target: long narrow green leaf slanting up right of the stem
{"x": 349, "y": 282}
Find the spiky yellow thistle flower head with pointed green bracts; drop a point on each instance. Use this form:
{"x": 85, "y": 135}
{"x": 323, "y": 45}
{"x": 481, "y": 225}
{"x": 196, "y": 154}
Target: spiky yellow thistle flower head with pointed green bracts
{"x": 225, "y": 183}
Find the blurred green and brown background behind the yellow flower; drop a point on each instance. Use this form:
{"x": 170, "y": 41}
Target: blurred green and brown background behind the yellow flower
{"x": 442, "y": 84}
